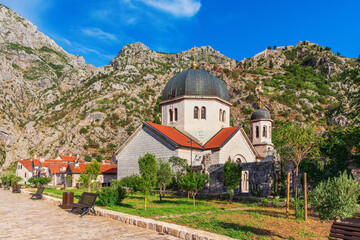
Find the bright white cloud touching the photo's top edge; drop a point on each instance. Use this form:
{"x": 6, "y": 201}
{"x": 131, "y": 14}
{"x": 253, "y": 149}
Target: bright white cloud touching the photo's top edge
{"x": 178, "y": 8}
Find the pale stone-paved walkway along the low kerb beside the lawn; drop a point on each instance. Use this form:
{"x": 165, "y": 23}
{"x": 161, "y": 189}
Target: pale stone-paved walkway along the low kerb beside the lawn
{"x": 22, "y": 218}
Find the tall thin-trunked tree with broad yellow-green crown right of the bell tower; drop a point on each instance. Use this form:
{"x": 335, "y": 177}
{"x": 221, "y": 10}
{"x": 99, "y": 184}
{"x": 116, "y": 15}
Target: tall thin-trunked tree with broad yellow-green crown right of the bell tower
{"x": 295, "y": 142}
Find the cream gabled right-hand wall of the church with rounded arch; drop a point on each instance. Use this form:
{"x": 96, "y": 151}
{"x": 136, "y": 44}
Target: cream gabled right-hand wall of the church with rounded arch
{"x": 236, "y": 147}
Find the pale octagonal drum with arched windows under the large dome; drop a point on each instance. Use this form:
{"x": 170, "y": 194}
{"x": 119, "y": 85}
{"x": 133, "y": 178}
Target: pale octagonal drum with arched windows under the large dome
{"x": 202, "y": 129}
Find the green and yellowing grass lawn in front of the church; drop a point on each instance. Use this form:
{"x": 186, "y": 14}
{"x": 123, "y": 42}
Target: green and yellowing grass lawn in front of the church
{"x": 237, "y": 220}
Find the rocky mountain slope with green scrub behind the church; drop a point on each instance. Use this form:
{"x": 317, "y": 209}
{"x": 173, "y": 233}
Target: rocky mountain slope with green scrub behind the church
{"x": 53, "y": 102}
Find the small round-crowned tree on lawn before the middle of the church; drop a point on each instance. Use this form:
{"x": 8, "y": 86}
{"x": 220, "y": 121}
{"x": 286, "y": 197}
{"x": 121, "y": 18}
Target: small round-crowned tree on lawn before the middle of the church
{"x": 193, "y": 182}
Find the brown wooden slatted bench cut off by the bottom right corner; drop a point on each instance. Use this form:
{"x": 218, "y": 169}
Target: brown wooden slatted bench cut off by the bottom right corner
{"x": 341, "y": 230}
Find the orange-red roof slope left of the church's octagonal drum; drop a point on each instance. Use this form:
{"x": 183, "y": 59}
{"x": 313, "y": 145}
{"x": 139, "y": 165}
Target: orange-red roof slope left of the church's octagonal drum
{"x": 174, "y": 135}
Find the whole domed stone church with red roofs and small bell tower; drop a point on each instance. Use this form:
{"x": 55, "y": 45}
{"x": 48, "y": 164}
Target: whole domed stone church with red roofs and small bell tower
{"x": 195, "y": 125}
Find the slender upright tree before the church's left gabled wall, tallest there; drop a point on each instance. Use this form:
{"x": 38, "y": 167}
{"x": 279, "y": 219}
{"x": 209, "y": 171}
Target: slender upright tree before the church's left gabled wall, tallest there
{"x": 148, "y": 170}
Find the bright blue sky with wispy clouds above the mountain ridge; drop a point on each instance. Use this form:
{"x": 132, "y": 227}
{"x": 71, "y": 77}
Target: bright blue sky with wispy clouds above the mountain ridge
{"x": 98, "y": 29}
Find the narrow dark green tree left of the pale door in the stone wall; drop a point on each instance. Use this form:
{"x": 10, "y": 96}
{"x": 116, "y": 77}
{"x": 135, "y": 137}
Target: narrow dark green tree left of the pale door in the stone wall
{"x": 232, "y": 177}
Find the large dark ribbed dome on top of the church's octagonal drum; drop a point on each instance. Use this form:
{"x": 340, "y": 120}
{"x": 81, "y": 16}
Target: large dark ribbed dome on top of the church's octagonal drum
{"x": 195, "y": 82}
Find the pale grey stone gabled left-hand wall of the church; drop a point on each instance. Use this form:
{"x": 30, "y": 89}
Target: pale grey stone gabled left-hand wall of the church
{"x": 144, "y": 142}
